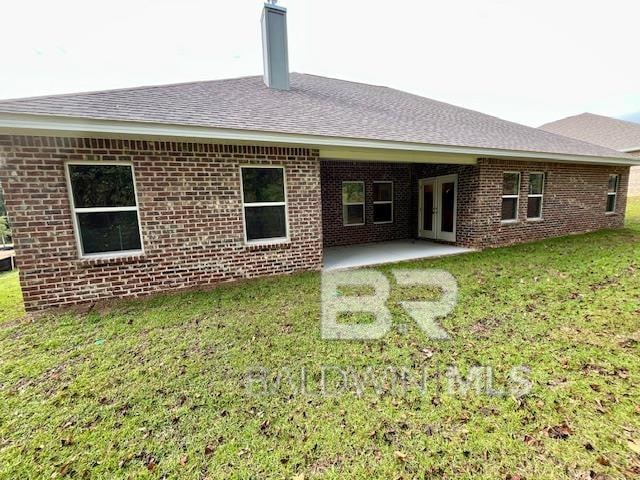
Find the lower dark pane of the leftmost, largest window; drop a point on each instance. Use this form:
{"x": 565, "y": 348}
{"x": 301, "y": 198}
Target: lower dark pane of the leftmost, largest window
{"x": 109, "y": 231}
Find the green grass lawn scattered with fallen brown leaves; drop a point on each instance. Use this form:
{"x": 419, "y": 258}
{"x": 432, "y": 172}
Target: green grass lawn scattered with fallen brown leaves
{"x": 157, "y": 388}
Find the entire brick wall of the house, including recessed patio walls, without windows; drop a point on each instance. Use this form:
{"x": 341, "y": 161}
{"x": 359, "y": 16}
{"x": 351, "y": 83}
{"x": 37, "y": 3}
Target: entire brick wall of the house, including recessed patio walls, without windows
{"x": 191, "y": 216}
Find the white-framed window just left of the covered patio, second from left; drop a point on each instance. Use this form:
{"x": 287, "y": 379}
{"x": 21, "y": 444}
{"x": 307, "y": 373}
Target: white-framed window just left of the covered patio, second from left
{"x": 264, "y": 204}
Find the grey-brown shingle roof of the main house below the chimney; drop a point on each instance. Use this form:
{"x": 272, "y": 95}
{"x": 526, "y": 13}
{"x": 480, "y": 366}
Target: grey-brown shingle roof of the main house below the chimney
{"x": 315, "y": 106}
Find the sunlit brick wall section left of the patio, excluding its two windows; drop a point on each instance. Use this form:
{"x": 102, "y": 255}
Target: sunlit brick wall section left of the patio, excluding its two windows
{"x": 190, "y": 212}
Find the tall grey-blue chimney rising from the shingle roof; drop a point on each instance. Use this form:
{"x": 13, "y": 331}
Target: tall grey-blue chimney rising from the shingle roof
{"x": 274, "y": 46}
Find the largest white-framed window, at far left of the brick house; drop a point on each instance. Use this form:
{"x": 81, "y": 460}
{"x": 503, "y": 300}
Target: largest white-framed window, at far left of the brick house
{"x": 105, "y": 210}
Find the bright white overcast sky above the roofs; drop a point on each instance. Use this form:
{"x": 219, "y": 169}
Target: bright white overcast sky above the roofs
{"x": 529, "y": 61}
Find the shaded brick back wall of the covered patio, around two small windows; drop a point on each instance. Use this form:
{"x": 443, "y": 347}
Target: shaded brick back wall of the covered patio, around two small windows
{"x": 333, "y": 173}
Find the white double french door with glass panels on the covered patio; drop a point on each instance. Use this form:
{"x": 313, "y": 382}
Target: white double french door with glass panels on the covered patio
{"x": 437, "y": 207}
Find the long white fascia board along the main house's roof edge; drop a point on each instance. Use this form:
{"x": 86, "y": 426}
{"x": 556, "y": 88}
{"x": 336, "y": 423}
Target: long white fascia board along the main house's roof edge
{"x": 27, "y": 124}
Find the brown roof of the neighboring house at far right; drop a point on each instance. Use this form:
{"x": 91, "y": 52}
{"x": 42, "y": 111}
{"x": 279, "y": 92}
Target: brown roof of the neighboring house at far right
{"x": 609, "y": 132}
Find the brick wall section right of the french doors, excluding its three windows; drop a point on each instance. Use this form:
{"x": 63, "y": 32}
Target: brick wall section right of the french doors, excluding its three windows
{"x": 574, "y": 202}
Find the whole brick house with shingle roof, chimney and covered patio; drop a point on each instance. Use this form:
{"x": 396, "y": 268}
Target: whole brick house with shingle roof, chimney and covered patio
{"x": 131, "y": 192}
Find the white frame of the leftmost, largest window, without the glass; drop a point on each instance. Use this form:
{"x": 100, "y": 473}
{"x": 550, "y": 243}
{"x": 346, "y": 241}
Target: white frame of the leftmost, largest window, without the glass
{"x": 75, "y": 211}
